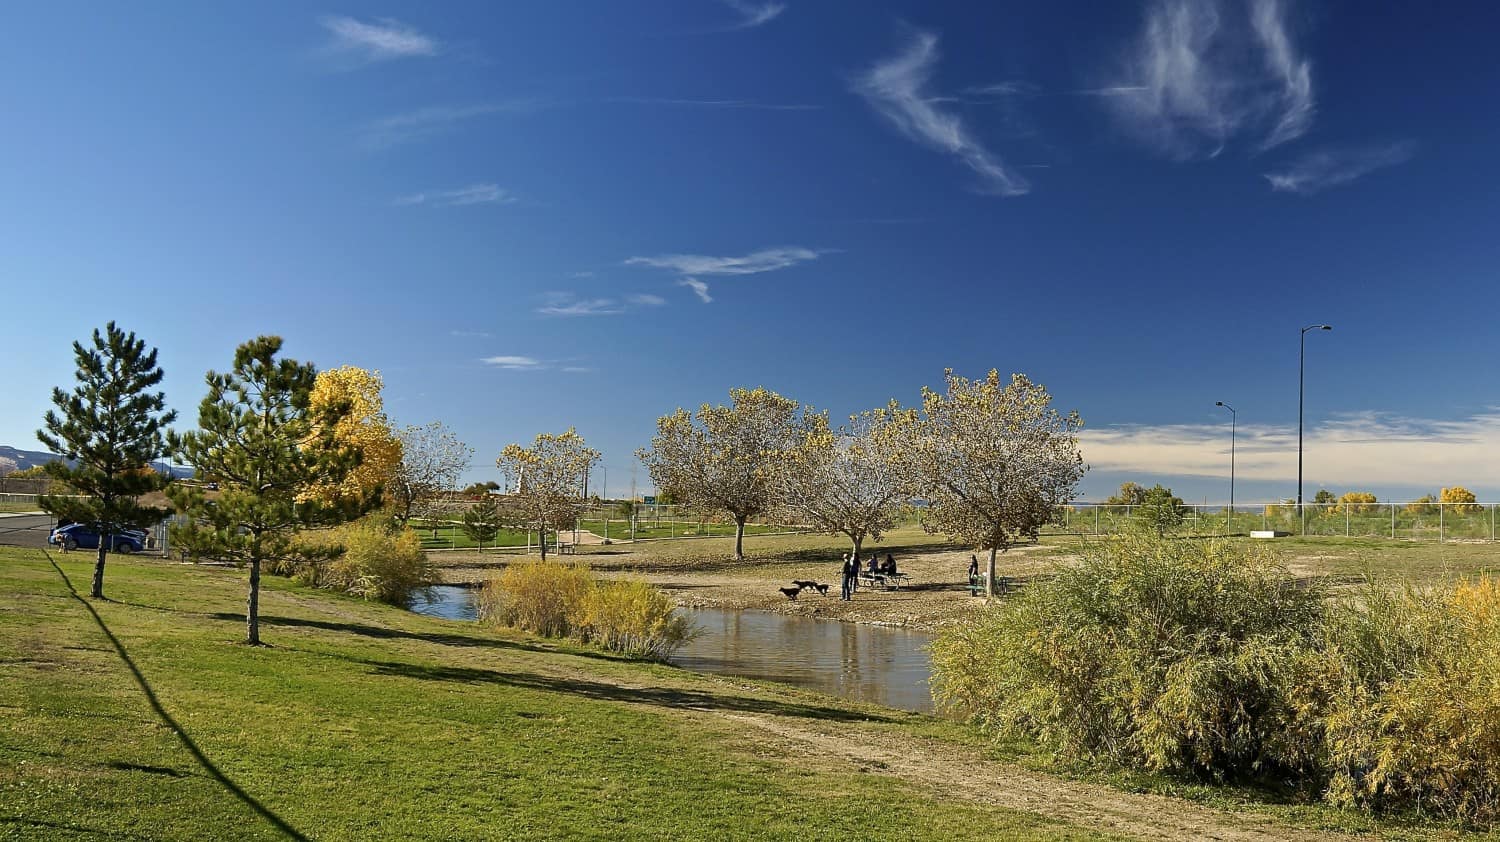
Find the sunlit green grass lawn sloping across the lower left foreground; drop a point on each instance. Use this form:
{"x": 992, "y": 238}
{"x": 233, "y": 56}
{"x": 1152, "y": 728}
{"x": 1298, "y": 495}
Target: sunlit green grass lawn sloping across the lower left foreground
{"x": 370, "y": 723}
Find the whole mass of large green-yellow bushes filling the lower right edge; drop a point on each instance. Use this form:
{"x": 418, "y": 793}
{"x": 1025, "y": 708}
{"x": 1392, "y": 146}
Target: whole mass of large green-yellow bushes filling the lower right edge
{"x": 1210, "y": 660}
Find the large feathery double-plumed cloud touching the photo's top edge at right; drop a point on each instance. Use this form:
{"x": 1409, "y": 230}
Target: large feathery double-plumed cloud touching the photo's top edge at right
{"x": 1205, "y": 71}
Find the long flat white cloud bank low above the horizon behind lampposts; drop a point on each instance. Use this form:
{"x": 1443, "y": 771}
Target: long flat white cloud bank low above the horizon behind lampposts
{"x": 1364, "y": 450}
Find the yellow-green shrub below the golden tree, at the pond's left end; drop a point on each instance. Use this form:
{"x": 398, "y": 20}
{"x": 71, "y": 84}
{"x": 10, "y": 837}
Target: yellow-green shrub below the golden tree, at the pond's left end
{"x": 380, "y": 562}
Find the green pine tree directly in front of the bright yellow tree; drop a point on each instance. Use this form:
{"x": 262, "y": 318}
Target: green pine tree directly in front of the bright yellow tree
{"x": 262, "y": 445}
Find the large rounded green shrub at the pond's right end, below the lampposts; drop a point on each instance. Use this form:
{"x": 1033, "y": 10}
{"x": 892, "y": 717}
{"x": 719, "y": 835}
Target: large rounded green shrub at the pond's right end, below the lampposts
{"x": 1160, "y": 655}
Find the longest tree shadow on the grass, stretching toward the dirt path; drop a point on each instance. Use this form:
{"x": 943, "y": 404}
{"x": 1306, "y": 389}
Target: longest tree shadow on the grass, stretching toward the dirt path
{"x": 601, "y": 691}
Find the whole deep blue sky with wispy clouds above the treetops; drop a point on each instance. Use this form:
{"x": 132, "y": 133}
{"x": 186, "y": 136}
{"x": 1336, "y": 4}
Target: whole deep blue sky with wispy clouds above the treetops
{"x": 538, "y": 215}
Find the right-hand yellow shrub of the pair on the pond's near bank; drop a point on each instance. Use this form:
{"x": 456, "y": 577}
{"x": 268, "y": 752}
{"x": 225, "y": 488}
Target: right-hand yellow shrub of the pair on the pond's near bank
{"x": 635, "y": 619}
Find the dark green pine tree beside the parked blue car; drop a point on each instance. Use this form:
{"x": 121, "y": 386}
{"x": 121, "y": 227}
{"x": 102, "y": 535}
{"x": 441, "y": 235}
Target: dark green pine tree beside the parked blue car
{"x": 112, "y": 429}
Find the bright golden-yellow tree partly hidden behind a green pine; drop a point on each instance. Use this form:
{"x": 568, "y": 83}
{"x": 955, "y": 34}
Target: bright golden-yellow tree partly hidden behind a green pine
{"x": 362, "y": 429}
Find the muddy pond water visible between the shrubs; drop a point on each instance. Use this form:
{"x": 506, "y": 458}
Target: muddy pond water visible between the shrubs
{"x": 854, "y": 661}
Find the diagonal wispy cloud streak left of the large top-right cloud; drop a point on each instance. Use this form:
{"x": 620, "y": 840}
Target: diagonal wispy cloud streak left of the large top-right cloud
{"x": 896, "y": 88}
